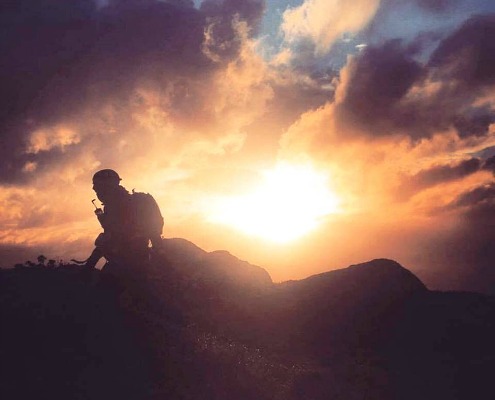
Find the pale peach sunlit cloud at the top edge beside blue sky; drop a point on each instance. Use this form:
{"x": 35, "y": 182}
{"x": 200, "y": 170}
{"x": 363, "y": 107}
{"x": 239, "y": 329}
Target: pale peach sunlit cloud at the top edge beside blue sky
{"x": 323, "y": 21}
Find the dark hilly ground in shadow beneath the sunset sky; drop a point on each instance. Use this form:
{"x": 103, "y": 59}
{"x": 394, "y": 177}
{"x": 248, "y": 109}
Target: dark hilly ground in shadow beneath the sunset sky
{"x": 198, "y": 325}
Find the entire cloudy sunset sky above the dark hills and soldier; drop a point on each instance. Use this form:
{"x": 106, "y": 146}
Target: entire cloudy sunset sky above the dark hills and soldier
{"x": 301, "y": 136}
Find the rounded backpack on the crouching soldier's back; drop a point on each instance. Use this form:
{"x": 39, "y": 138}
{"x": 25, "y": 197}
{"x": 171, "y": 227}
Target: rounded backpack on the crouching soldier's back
{"x": 148, "y": 218}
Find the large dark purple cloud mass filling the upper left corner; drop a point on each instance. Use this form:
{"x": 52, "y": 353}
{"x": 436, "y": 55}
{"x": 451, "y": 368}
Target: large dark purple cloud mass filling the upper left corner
{"x": 64, "y": 60}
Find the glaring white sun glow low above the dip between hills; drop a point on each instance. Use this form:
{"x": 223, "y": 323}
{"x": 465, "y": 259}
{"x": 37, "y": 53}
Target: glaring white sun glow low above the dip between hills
{"x": 290, "y": 202}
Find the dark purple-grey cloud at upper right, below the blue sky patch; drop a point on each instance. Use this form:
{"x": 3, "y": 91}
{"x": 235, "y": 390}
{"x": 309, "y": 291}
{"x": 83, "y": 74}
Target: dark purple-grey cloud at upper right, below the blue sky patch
{"x": 462, "y": 69}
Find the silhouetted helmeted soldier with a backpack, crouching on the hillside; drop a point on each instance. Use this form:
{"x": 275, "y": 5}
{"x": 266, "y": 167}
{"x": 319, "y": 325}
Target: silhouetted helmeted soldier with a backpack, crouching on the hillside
{"x": 129, "y": 222}
